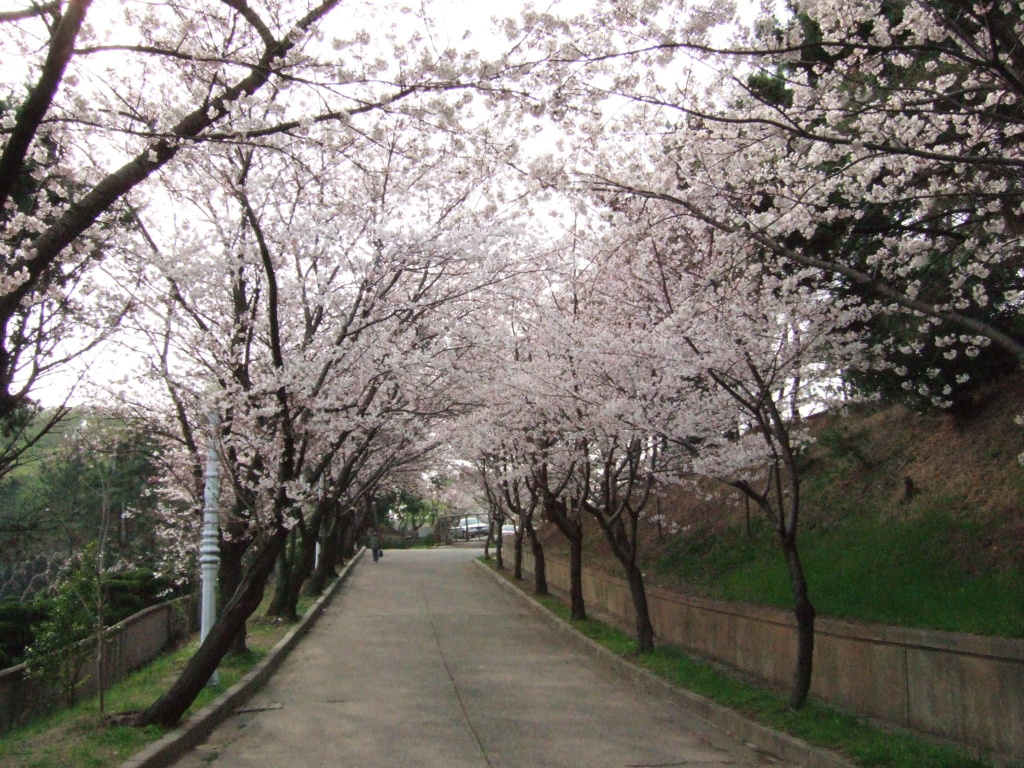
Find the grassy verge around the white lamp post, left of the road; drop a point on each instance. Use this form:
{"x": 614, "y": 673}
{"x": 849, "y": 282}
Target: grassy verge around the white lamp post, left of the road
{"x": 78, "y": 739}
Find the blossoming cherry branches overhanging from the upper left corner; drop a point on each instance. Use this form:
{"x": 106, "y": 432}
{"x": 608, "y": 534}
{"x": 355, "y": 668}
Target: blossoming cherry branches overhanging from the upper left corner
{"x": 119, "y": 98}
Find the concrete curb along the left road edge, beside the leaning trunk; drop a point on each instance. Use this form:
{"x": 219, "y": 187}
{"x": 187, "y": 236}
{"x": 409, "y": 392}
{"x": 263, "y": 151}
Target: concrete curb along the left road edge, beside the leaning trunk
{"x": 195, "y": 731}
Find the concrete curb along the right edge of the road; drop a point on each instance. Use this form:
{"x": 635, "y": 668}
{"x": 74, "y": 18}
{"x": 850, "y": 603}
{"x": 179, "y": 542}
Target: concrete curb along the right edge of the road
{"x": 730, "y": 729}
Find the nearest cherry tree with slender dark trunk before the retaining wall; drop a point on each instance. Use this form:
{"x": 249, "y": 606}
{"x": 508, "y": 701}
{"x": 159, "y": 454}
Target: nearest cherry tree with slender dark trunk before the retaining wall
{"x": 731, "y": 357}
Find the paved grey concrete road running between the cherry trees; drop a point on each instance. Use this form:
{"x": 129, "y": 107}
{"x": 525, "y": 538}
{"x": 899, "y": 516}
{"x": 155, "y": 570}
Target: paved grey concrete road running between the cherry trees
{"x": 422, "y": 660}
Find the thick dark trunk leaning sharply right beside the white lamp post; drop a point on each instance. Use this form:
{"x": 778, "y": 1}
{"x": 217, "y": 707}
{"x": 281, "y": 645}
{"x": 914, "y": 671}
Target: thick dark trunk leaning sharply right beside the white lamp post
{"x": 168, "y": 709}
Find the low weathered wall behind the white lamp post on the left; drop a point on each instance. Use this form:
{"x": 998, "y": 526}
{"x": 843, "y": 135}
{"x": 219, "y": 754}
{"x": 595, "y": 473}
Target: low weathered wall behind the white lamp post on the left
{"x": 130, "y": 646}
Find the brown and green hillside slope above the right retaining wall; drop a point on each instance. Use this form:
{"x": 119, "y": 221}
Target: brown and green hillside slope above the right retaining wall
{"x": 909, "y": 520}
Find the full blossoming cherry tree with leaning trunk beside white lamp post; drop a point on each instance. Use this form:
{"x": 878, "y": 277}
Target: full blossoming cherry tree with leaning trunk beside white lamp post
{"x": 334, "y": 275}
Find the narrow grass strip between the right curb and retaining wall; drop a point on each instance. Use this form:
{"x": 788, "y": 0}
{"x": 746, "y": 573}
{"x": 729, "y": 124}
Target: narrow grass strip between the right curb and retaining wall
{"x": 864, "y": 743}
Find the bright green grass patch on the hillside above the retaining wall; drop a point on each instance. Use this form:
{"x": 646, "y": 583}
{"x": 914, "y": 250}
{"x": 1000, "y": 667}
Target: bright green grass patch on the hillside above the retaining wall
{"x": 904, "y": 573}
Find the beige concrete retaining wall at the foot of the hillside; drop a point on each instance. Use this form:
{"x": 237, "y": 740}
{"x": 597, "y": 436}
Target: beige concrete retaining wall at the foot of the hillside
{"x": 963, "y": 688}
